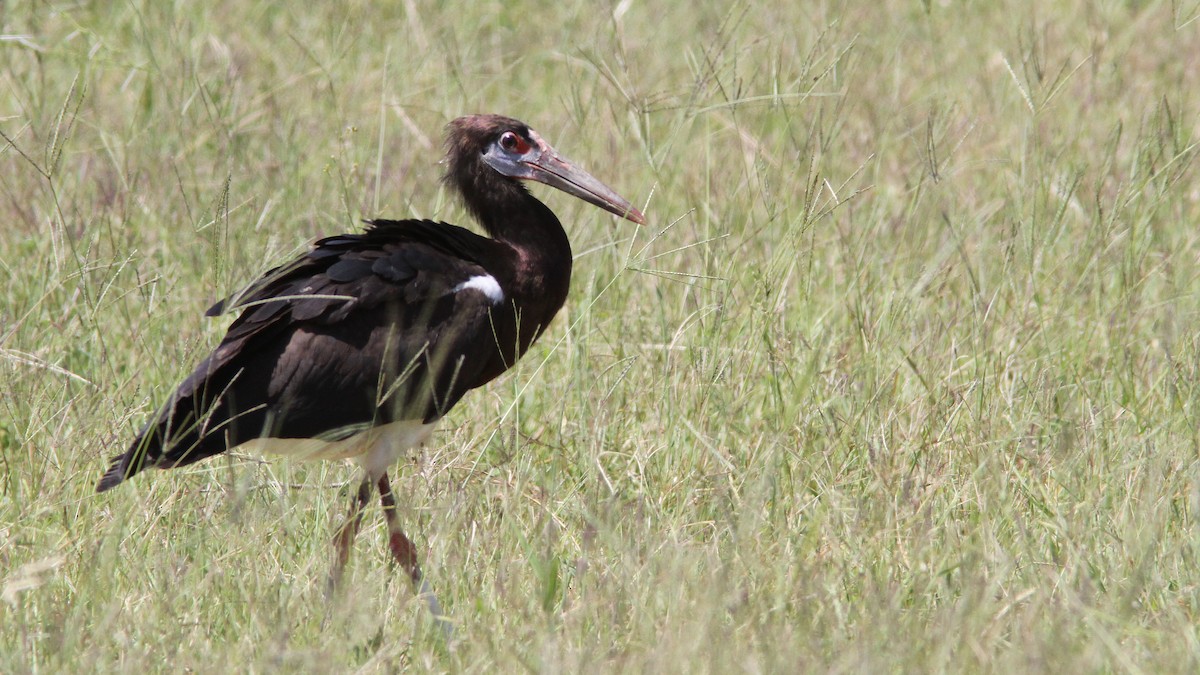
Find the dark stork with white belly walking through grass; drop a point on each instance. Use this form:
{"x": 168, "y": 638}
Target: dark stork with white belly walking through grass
{"x": 361, "y": 347}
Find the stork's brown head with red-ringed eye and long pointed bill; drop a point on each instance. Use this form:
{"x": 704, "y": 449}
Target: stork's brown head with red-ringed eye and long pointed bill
{"x": 489, "y": 156}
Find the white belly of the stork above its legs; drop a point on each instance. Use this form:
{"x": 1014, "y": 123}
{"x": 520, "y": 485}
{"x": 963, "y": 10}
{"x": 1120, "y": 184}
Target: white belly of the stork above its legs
{"x": 375, "y": 449}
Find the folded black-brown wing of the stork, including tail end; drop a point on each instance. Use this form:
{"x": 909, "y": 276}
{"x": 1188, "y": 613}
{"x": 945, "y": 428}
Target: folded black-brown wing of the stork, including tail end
{"x": 364, "y": 330}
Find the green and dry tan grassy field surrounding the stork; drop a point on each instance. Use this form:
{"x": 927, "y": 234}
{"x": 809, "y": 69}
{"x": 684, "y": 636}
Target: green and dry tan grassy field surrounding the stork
{"x": 902, "y": 375}
